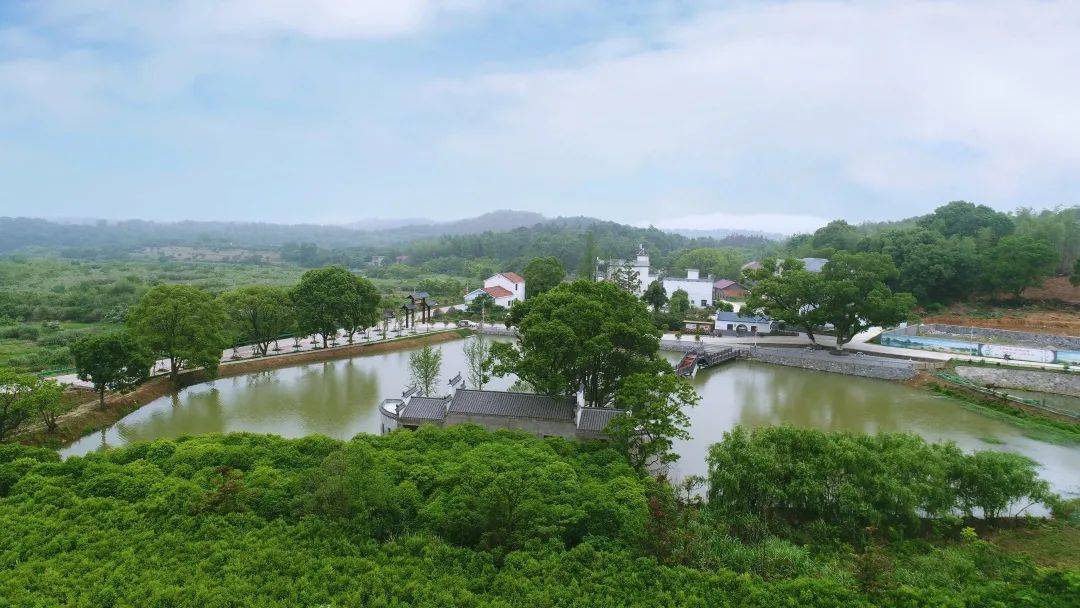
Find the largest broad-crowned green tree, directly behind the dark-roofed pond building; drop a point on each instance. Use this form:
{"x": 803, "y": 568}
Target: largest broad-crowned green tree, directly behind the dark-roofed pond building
{"x": 582, "y": 335}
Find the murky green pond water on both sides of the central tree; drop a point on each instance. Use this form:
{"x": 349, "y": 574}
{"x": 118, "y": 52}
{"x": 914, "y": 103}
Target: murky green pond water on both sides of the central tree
{"x": 341, "y": 399}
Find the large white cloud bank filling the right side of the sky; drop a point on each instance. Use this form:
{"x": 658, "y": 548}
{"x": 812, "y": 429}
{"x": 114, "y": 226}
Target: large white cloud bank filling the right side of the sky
{"x": 892, "y": 99}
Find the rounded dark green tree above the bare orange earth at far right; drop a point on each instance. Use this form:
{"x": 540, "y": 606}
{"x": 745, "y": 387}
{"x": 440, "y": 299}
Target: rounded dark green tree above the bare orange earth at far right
{"x": 1017, "y": 263}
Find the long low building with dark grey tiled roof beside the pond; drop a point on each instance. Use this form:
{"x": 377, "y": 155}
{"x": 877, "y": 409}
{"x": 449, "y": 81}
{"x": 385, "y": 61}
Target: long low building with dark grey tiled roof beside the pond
{"x": 541, "y": 415}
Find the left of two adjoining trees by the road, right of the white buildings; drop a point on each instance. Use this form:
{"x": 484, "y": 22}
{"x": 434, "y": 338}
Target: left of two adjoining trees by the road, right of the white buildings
{"x": 793, "y": 296}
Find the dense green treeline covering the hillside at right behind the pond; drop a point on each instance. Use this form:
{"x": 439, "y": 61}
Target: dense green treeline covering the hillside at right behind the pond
{"x": 962, "y": 250}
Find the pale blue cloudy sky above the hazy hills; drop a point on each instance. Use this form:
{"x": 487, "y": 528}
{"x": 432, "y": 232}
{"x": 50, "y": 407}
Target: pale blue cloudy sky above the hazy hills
{"x": 768, "y": 115}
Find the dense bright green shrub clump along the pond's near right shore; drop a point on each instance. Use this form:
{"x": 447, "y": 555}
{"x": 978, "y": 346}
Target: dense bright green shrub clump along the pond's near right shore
{"x": 850, "y": 484}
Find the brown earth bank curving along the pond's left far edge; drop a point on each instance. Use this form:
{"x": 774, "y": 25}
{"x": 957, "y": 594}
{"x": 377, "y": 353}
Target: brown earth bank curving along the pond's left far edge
{"x": 88, "y": 417}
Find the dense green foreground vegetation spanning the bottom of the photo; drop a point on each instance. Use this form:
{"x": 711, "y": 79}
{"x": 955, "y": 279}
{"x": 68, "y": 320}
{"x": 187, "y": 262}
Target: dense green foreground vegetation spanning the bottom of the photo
{"x": 466, "y": 518}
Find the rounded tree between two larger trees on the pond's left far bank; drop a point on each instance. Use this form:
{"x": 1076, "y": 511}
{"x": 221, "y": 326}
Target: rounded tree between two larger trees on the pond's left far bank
{"x": 259, "y": 315}
